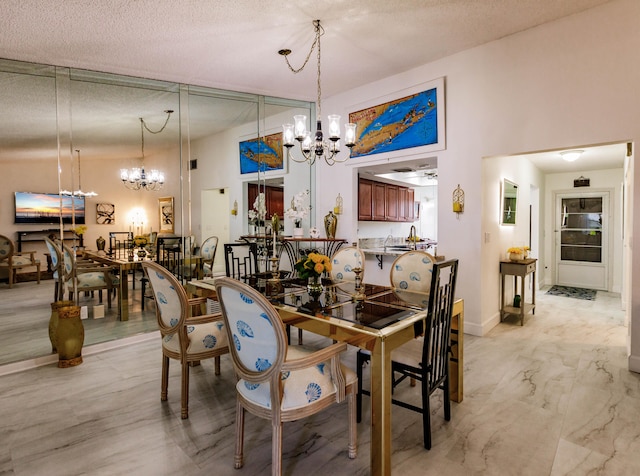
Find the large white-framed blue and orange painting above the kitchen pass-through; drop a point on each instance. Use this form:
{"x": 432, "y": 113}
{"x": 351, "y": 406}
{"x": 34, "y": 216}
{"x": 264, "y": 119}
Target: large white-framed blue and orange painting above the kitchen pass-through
{"x": 416, "y": 119}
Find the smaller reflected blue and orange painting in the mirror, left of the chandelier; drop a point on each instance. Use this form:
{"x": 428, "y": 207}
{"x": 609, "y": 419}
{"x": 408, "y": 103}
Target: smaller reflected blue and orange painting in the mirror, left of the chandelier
{"x": 262, "y": 154}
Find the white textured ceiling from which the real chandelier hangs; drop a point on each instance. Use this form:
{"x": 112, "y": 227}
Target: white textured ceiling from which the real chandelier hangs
{"x": 233, "y": 44}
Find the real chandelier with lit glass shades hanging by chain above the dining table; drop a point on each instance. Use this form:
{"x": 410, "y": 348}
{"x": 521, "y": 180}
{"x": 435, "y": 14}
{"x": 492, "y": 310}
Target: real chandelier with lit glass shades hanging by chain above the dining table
{"x": 317, "y": 147}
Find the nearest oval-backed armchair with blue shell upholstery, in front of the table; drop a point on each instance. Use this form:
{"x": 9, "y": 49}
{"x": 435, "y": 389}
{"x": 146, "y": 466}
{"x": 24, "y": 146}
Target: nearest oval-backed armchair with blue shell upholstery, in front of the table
{"x": 278, "y": 382}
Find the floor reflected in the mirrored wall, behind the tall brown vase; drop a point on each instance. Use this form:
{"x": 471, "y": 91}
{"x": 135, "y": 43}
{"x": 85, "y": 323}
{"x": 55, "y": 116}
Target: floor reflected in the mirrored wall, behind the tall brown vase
{"x": 25, "y": 310}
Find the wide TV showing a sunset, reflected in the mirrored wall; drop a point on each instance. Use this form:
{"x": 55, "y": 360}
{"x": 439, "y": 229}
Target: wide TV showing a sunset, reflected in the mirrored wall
{"x": 45, "y": 208}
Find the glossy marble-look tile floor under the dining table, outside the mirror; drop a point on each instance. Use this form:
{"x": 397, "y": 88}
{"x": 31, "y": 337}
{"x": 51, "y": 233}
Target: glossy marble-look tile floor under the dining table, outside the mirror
{"x": 553, "y": 397}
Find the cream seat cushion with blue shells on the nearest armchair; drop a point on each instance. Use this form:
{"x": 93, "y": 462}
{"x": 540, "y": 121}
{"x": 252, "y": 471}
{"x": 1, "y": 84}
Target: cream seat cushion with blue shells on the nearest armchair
{"x": 301, "y": 387}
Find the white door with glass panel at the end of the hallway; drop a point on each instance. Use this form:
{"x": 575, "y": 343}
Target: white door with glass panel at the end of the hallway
{"x": 582, "y": 227}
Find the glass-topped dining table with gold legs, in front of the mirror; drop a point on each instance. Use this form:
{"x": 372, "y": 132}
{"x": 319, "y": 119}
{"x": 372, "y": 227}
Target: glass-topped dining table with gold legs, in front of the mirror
{"x": 380, "y": 322}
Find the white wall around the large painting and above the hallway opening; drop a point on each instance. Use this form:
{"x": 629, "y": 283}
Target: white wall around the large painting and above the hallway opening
{"x": 562, "y": 84}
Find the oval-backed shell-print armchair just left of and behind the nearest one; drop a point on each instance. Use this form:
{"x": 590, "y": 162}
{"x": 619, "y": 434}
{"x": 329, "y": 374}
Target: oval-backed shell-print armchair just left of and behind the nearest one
{"x": 185, "y": 337}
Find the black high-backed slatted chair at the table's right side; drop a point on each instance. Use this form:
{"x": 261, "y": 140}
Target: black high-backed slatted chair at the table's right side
{"x": 426, "y": 358}
